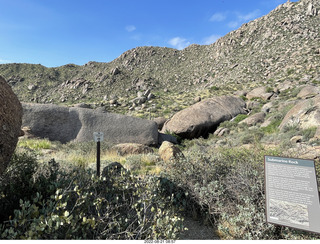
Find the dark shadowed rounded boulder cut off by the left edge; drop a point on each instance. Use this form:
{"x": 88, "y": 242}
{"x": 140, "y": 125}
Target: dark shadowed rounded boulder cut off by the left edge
{"x": 10, "y": 123}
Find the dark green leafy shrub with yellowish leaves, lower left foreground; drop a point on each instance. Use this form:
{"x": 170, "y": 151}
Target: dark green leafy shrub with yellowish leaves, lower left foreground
{"x": 83, "y": 206}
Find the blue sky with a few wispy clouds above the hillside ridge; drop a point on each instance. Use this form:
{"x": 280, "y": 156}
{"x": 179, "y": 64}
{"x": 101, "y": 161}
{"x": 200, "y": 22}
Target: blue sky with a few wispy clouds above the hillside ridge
{"x": 58, "y": 32}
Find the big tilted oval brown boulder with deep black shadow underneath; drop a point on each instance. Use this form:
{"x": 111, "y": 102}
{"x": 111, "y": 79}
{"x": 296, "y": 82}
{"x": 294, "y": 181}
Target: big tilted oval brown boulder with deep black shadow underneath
{"x": 204, "y": 117}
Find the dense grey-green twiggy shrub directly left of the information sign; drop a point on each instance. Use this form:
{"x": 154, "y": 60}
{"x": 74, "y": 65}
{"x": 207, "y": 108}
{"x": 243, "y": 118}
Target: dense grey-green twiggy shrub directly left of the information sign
{"x": 228, "y": 185}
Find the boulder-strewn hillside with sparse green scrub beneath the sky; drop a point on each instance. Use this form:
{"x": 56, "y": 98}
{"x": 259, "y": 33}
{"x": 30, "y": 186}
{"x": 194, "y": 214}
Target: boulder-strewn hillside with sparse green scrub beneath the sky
{"x": 283, "y": 46}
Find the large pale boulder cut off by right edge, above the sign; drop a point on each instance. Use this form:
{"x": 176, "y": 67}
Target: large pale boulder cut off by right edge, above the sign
{"x": 305, "y": 114}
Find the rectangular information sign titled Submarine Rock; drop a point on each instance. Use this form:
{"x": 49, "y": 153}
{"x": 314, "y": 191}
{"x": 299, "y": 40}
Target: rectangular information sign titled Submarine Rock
{"x": 292, "y": 196}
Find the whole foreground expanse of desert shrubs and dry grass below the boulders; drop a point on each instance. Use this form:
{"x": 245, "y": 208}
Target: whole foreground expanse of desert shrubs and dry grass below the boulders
{"x": 49, "y": 193}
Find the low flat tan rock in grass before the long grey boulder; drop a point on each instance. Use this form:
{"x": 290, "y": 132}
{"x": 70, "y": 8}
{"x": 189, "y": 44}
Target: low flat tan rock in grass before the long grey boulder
{"x": 131, "y": 148}
